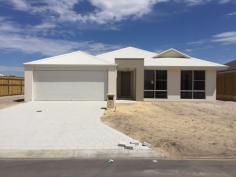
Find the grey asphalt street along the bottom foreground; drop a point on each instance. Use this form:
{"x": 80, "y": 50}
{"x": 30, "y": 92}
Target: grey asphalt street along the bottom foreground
{"x": 117, "y": 168}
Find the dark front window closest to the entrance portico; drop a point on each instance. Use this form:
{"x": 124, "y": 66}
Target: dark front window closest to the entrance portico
{"x": 155, "y": 84}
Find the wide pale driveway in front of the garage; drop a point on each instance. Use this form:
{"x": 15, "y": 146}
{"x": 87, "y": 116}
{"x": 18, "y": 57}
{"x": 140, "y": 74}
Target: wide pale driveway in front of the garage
{"x": 61, "y": 125}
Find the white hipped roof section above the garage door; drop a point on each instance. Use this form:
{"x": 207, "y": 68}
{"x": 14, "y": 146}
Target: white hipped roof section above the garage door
{"x": 74, "y": 58}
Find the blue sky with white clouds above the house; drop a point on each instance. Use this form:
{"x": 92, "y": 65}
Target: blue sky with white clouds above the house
{"x": 31, "y": 29}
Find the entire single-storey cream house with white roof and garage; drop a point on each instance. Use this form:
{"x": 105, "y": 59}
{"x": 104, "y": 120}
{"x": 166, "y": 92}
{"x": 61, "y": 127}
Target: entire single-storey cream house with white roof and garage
{"x": 128, "y": 73}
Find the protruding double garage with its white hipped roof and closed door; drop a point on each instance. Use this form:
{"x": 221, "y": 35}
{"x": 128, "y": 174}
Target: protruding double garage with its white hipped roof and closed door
{"x": 75, "y": 76}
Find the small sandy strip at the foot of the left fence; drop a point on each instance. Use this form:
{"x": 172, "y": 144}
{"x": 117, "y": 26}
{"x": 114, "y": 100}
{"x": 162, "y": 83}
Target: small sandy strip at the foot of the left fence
{"x": 7, "y": 101}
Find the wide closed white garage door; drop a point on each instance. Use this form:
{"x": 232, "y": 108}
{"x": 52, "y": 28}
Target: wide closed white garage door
{"x": 70, "y": 85}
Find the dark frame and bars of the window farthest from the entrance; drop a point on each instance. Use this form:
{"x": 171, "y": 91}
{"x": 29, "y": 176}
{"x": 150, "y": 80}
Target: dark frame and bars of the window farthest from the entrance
{"x": 192, "y": 91}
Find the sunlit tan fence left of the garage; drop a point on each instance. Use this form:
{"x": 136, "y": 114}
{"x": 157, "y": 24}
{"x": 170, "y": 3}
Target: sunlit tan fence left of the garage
{"x": 11, "y": 86}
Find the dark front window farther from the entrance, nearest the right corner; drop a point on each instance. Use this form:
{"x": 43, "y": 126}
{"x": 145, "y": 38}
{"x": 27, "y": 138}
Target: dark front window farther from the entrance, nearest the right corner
{"x": 193, "y": 84}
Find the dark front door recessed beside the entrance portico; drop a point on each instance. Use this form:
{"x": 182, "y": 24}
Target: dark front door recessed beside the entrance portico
{"x": 124, "y": 84}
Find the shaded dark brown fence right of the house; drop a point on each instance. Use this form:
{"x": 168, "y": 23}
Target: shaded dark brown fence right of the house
{"x": 226, "y": 85}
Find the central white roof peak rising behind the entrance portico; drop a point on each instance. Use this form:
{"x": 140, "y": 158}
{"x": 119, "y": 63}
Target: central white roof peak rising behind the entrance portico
{"x": 126, "y": 53}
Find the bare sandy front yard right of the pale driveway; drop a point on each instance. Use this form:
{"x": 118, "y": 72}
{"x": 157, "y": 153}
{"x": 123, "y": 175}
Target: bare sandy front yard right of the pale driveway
{"x": 180, "y": 129}
